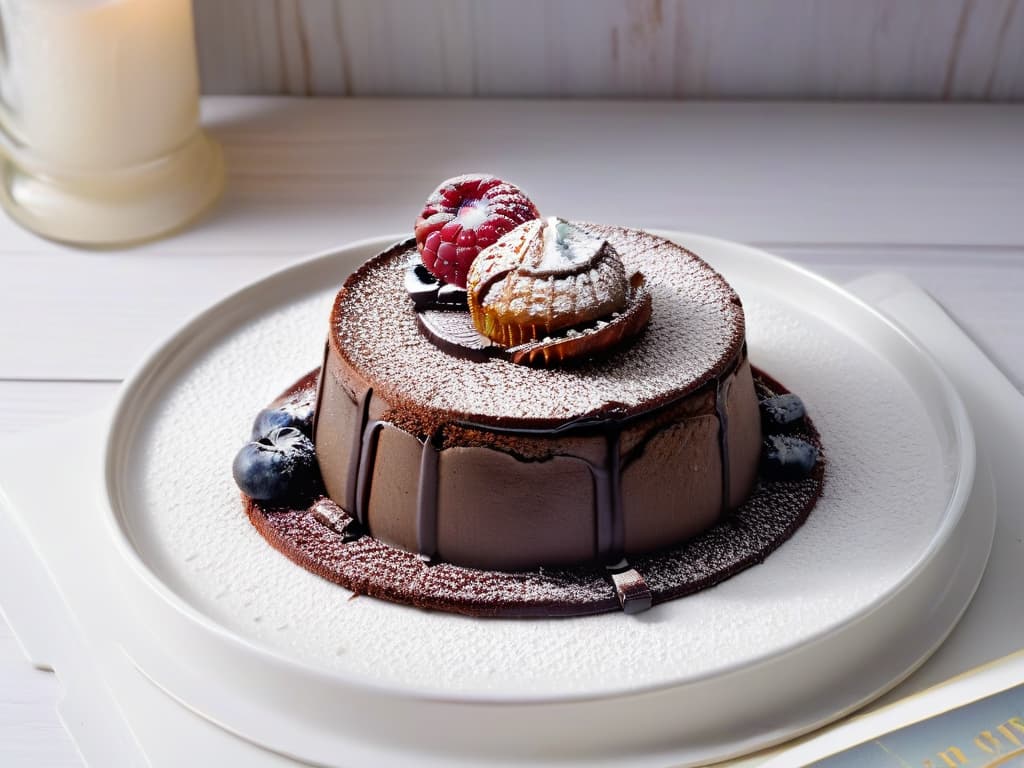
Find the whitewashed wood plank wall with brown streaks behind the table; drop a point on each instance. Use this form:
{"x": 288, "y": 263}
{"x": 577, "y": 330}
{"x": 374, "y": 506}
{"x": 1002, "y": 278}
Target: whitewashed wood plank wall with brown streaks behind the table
{"x": 826, "y": 50}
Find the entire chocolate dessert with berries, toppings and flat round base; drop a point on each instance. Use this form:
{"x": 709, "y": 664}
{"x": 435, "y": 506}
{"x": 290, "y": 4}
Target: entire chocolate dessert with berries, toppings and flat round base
{"x": 579, "y": 400}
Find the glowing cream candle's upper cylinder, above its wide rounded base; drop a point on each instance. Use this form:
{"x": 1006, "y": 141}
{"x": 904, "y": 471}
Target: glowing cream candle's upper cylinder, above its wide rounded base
{"x": 100, "y": 83}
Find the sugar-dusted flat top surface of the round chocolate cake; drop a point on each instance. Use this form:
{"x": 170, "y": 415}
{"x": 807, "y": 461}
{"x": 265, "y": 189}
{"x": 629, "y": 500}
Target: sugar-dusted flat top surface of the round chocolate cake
{"x": 697, "y": 329}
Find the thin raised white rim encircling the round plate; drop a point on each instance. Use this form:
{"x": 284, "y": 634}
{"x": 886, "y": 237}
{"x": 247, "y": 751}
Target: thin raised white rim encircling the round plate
{"x": 135, "y": 388}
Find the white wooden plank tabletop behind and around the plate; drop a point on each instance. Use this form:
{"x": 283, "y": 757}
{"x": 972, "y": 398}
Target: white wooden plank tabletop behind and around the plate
{"x": 936, "y": 192}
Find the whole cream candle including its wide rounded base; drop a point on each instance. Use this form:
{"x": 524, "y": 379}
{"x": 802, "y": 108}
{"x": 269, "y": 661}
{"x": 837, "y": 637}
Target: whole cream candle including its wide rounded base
{"x": 100, "y": 110}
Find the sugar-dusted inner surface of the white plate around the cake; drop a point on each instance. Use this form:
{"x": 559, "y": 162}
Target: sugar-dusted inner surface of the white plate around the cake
{"x": 885, "y": 494}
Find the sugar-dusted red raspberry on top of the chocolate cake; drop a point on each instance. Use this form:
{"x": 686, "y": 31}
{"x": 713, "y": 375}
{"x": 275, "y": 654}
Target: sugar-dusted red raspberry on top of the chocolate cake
{"x": 465, "y": 216}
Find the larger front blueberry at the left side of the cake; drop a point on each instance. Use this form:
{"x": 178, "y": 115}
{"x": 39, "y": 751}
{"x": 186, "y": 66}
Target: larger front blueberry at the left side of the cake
{"x": 278, "y": 467}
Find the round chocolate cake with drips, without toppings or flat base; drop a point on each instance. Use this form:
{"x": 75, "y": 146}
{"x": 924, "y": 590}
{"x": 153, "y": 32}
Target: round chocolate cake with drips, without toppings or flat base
{"x": 498, "y": 465}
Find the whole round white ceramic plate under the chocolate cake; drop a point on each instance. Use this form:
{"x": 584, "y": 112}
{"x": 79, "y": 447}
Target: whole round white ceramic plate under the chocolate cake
{"x": 863, "y": 594}
